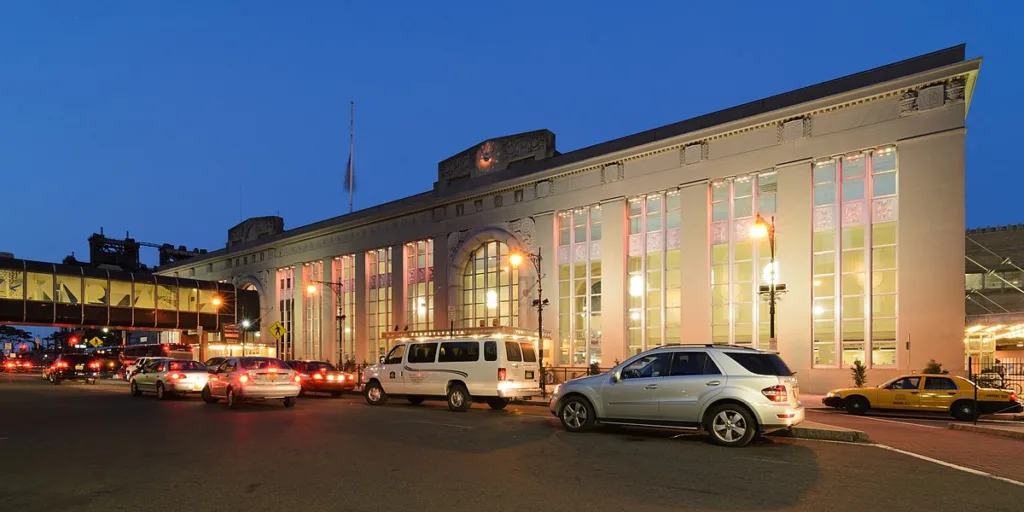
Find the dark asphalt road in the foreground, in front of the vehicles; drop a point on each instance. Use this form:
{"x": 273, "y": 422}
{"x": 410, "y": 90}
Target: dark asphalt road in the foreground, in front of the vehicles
{"x": 77, "y": 448}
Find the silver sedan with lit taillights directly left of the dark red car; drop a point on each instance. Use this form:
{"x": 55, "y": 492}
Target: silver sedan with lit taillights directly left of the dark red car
{"x": 241, "y": 379}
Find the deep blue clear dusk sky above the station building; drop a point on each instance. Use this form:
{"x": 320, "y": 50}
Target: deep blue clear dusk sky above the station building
{"x": 175, "y": 120}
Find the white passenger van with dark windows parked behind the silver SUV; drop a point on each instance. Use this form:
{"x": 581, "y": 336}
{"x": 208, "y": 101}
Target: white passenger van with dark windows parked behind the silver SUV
{"x": 460, "y": 370}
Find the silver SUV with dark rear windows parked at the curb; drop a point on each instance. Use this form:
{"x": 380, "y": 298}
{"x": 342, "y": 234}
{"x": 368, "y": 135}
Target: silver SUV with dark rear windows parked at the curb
{"x": 735, "y": 394}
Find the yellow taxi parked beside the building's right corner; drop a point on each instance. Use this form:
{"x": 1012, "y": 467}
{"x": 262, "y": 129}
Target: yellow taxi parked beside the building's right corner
{"x": 925, "y": 393}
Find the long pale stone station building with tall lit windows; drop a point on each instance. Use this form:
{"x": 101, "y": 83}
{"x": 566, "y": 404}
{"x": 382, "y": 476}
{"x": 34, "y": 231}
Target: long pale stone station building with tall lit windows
{"x": 648, "y": 239}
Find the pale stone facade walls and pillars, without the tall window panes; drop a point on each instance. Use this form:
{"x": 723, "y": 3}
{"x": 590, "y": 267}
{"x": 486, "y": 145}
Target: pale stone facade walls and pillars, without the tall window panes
{"x": 918, "y": 106}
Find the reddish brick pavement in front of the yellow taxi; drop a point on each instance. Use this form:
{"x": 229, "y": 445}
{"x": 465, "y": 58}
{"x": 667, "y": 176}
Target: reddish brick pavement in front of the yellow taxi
{"x": 1002, "y": 457}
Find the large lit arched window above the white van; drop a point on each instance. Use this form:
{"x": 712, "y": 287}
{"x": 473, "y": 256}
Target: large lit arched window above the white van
{"x": 491, "y": 288}
